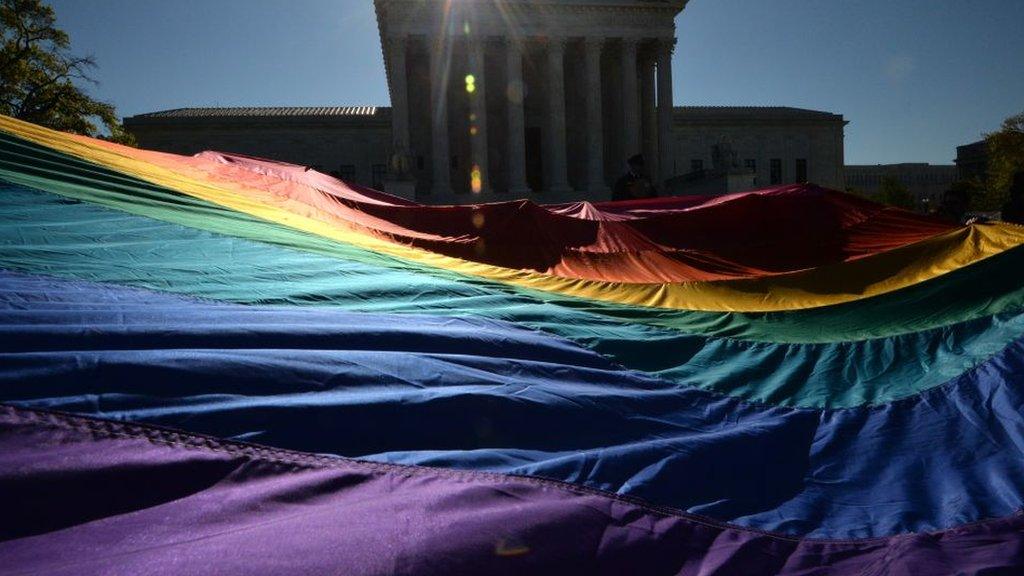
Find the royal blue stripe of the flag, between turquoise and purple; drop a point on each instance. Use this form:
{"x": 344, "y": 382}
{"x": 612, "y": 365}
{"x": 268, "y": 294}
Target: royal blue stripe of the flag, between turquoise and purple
{"x": 483, "y": 395}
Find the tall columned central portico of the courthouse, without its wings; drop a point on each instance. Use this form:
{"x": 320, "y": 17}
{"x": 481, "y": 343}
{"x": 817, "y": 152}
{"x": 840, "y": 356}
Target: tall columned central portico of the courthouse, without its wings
{"x": 513, "y": 98}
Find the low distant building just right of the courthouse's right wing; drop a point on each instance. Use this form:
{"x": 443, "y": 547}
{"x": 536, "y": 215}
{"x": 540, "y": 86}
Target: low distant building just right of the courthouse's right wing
{"x": 926, "y": 183}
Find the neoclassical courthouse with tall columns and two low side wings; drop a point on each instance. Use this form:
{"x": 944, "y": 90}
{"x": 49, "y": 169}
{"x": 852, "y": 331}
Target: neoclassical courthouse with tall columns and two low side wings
{"x": 497, "y": 100}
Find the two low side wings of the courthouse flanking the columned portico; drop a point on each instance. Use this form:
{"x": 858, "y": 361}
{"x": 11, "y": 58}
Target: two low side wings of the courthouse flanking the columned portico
{"x": 772, "y": 145}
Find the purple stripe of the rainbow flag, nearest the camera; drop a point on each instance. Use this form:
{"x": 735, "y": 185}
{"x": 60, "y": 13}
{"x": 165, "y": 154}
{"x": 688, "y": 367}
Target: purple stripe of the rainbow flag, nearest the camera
{"x": 87, "y": 497}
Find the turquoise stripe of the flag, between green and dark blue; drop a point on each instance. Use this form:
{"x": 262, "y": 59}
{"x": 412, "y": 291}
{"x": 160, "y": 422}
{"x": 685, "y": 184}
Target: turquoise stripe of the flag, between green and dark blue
{"x": 49, "y": 234}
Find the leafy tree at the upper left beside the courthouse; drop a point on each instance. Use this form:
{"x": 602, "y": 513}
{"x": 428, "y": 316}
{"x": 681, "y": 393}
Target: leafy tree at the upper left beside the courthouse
{"x": 40, "y": 78}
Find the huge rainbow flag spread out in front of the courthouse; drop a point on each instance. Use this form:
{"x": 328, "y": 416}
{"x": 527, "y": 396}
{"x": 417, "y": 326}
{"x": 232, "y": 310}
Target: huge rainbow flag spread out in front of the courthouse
{"x": 225, "y": 365}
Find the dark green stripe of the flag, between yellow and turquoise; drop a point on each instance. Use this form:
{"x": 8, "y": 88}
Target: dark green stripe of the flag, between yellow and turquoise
{"x": 986, "y": 289}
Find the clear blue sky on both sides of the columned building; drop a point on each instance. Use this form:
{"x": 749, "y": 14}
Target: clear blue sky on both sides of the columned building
{"x": 915, "y": 78}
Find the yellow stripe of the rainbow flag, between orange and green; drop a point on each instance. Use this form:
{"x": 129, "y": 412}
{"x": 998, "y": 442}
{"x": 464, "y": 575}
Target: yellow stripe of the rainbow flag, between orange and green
{"x": 887, "y": 271}
